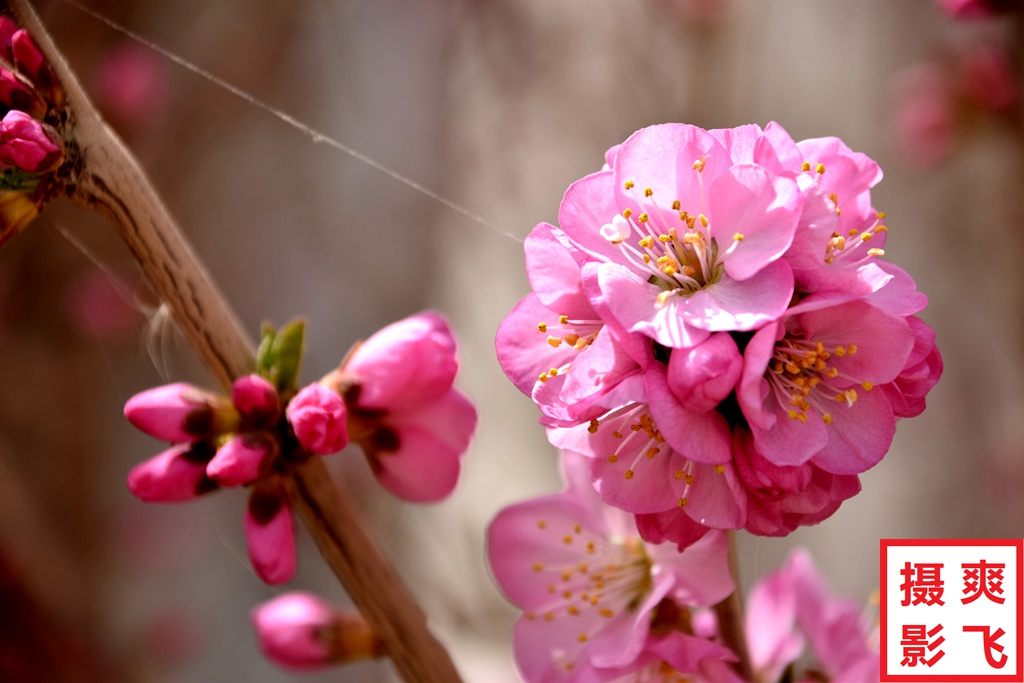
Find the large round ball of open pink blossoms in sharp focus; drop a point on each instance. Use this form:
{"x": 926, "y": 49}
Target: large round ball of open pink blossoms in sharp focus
{"x": 713, "y": 326}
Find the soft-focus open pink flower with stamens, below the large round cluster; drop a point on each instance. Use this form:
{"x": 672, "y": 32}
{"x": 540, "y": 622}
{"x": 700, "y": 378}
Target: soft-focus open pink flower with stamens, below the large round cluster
{"x": 591, "y": 590}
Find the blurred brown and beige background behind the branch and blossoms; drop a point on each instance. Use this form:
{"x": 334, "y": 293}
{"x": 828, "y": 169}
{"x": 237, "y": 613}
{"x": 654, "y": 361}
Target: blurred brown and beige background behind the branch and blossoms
{"x": 498, "y": 105}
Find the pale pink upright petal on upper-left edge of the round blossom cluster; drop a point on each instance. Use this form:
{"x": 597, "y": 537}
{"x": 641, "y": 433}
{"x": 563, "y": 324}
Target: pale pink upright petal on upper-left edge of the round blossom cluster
{"x": 554, "y": 274}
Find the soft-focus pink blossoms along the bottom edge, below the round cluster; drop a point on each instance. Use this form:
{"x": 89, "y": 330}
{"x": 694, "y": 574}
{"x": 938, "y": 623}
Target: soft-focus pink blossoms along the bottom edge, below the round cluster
{"x": 602, "y": 605}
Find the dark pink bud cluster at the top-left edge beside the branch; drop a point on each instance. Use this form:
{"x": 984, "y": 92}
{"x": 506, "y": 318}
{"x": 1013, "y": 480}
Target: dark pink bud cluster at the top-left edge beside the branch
{"x": 32, "y": 103}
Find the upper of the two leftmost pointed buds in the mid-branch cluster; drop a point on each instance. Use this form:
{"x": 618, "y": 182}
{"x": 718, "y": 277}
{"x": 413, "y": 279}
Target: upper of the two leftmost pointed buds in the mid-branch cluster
{"x": 181, "y": 413}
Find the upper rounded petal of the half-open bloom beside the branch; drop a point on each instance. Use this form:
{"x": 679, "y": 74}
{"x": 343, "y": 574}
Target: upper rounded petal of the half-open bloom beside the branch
{"x": 405, "y": 364}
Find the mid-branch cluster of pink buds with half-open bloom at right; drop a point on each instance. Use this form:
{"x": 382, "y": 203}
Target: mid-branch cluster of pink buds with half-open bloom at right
{"x": 394, "y": 397}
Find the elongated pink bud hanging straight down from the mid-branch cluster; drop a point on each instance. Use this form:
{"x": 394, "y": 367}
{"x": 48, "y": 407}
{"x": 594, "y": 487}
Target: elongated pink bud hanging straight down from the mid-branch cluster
{"x": 271, "y": 537}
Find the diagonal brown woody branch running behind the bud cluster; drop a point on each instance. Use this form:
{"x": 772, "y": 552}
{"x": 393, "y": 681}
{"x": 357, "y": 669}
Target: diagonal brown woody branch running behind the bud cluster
{"x": 109, "y": 180}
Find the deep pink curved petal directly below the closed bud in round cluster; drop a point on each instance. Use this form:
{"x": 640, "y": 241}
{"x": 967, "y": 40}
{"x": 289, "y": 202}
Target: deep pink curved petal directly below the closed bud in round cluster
{"x": 703, "y": 438}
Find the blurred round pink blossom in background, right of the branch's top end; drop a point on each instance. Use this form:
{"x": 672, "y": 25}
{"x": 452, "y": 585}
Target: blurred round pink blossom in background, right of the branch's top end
{"x": 133, "y": 84}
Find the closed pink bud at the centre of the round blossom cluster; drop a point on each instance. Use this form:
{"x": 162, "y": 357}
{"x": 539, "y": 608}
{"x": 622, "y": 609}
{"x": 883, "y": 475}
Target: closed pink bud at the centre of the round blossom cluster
{"x": 701, "y": 377}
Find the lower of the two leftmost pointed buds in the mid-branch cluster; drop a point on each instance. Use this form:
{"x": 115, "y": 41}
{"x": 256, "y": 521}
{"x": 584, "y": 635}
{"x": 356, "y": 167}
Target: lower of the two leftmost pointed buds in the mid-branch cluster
{"x": 177, "y": 475}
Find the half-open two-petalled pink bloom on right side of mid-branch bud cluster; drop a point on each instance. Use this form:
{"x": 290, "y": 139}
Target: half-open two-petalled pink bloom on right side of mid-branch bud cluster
{"x": 403, "y": 409}
